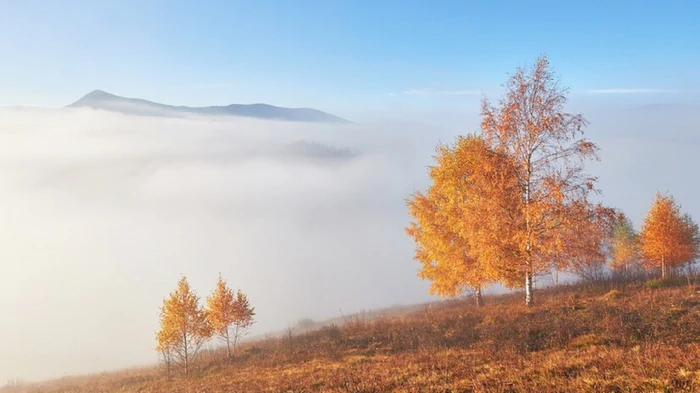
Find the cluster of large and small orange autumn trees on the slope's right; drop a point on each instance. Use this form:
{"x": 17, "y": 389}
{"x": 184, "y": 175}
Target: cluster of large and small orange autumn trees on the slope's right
{"x": 514, "y": 201}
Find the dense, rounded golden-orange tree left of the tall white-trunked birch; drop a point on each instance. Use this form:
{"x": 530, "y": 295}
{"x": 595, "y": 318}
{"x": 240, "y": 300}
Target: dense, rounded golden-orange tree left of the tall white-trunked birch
{"x": 455, "y": 241}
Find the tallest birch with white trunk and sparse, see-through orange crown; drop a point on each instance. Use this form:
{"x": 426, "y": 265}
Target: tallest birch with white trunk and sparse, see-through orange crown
{"x": 547, "y": 147}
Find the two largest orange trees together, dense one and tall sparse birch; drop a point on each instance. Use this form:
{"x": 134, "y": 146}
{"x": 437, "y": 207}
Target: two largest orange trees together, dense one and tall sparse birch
{"x": 515, "y": 200}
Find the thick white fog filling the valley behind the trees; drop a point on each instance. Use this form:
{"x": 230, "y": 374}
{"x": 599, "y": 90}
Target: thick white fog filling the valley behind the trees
{"x": 101, "y": 213}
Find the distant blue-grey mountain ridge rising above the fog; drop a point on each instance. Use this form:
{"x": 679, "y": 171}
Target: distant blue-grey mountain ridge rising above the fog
{"x": 99, "y": 99}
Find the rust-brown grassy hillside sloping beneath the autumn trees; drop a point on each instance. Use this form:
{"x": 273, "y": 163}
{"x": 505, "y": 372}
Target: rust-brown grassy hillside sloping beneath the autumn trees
{"x": 603, "y": 338}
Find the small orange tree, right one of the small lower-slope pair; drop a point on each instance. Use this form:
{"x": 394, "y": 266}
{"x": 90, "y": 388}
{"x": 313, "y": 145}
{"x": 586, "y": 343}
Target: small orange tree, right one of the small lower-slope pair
{"x": 229, "y": 314}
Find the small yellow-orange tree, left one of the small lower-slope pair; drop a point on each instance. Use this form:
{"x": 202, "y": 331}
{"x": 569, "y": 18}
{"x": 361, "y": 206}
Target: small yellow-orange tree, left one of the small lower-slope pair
{"x": 183, "y": 327}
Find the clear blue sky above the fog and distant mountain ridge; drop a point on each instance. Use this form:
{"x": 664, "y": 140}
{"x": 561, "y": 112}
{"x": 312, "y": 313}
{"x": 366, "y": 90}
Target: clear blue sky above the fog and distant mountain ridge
{"x": 340, "y": 56}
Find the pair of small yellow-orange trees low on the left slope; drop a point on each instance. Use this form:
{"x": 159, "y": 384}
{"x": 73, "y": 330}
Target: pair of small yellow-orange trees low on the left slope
{"x": 185, "y": 325}
